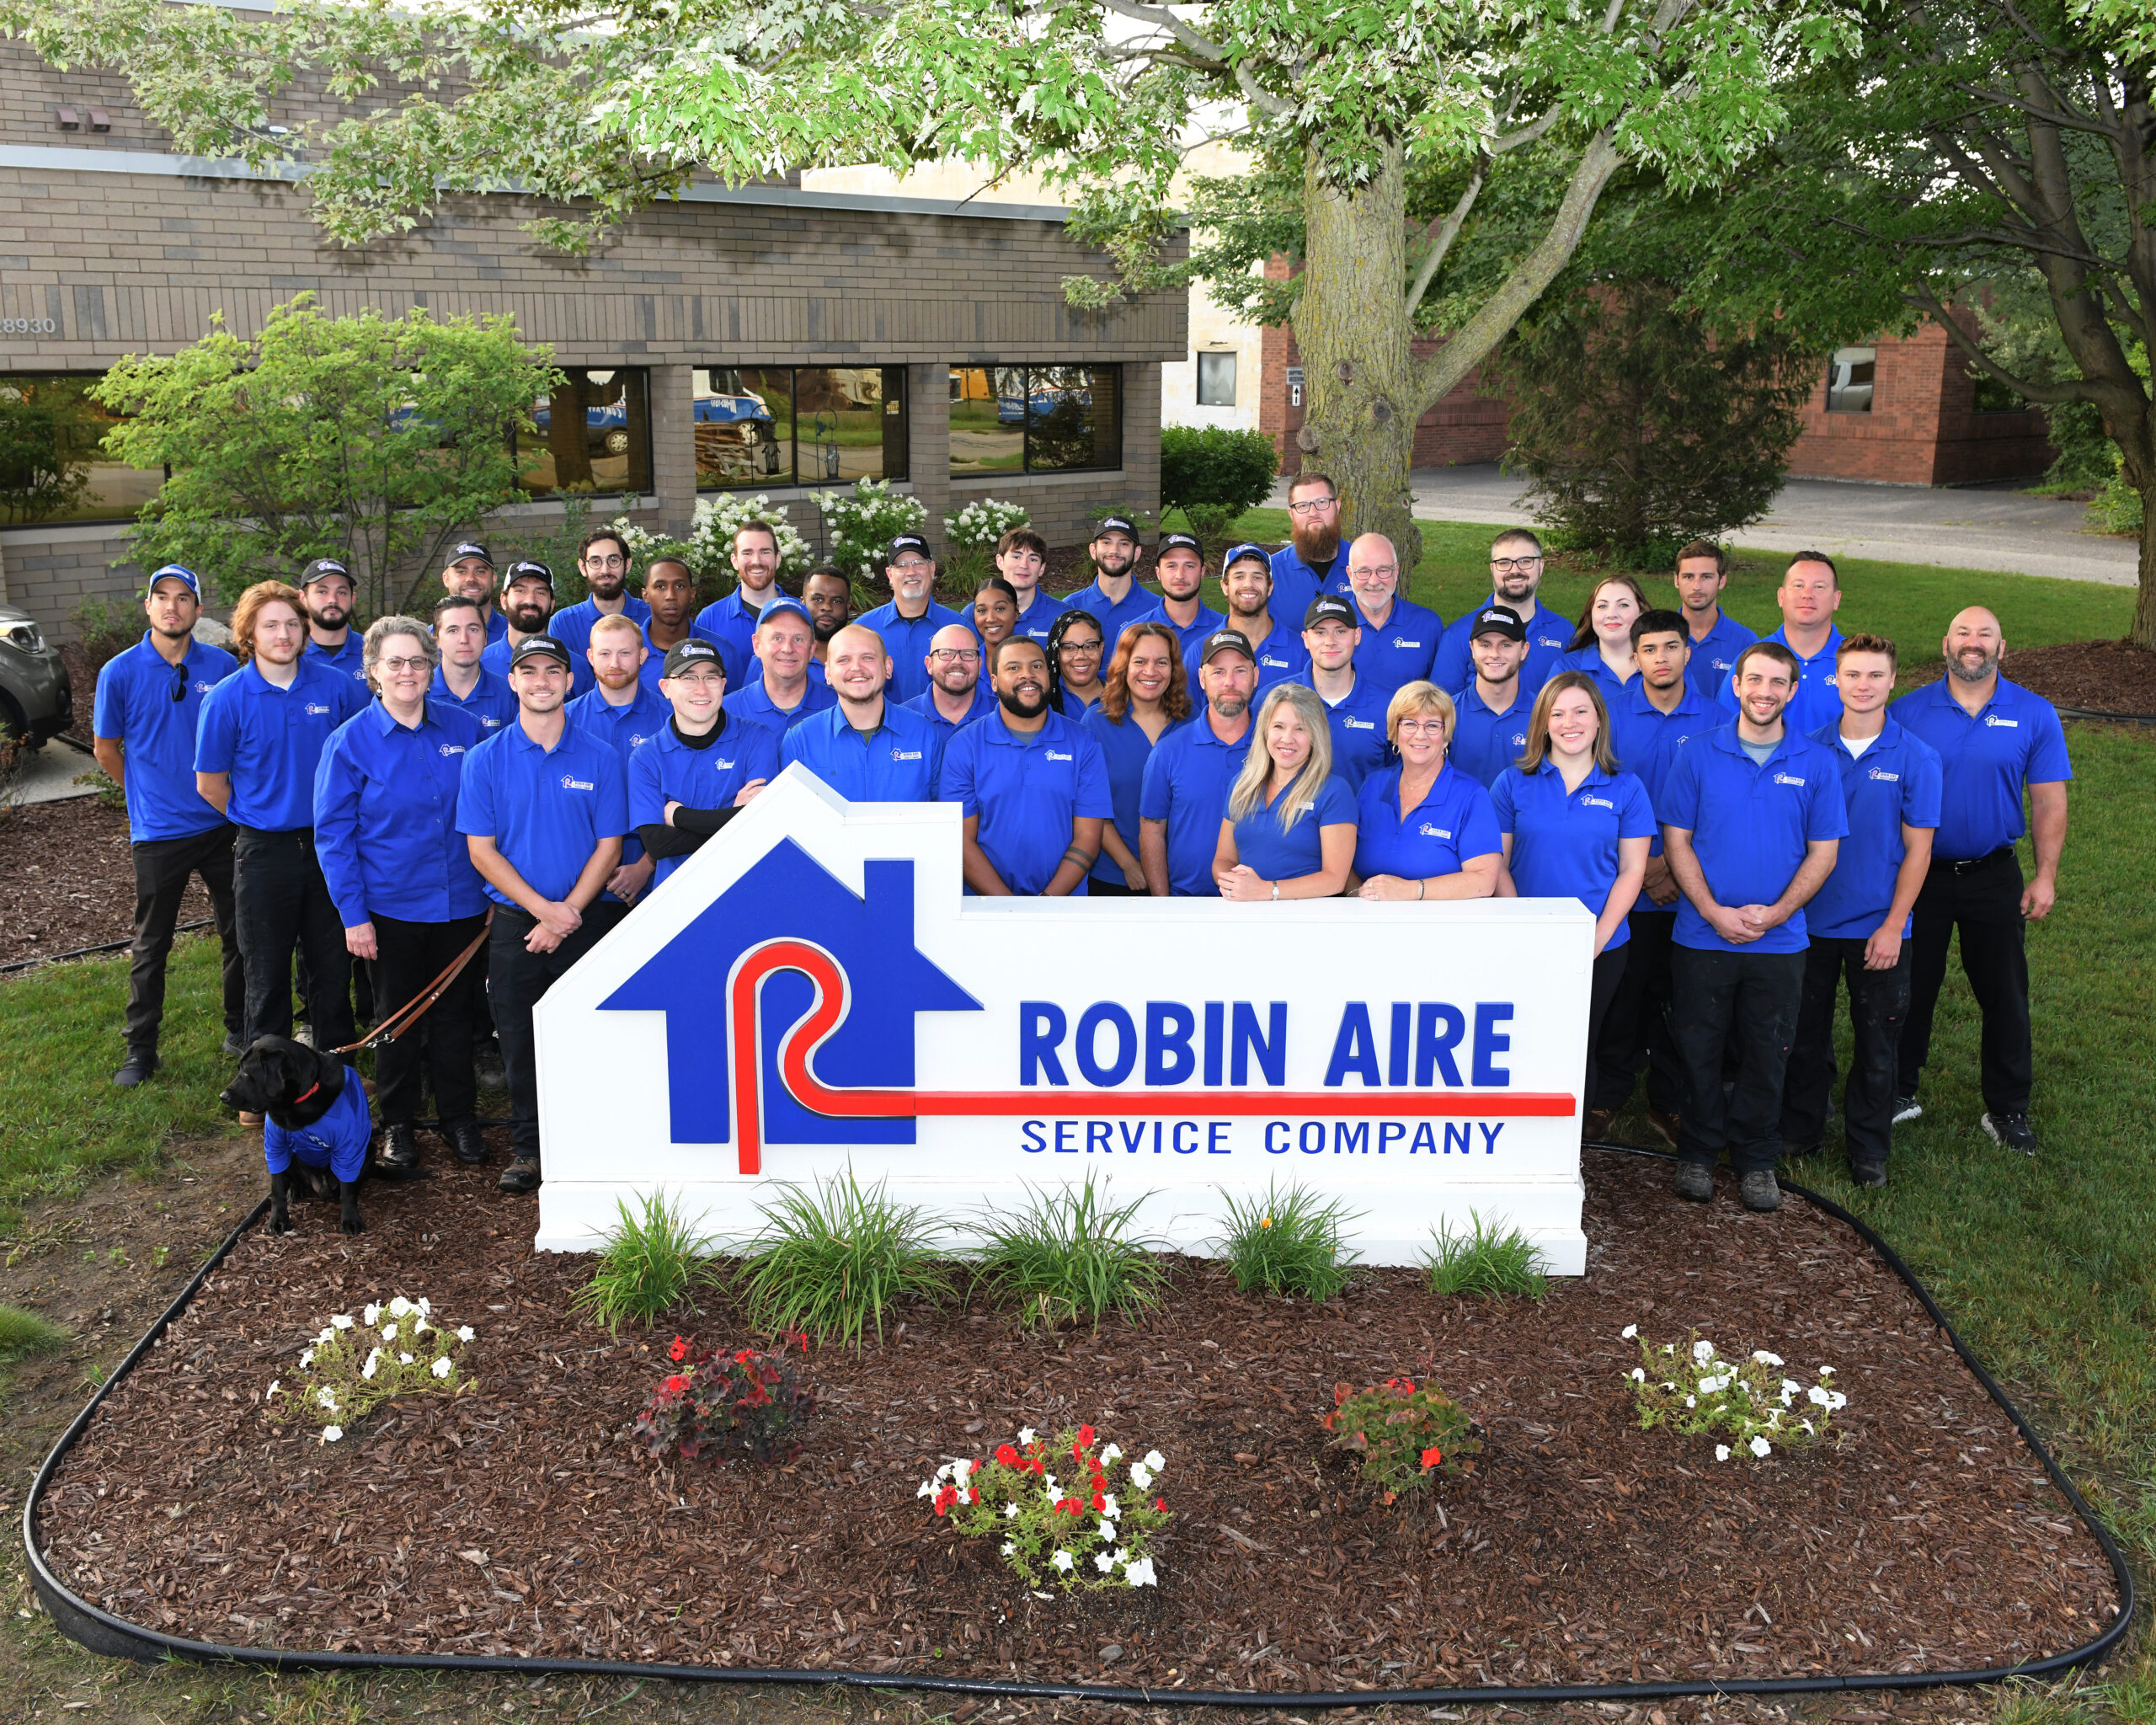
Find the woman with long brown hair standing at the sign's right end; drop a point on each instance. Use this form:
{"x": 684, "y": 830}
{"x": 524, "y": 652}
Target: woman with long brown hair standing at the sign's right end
{"x": 1577, "y": 829}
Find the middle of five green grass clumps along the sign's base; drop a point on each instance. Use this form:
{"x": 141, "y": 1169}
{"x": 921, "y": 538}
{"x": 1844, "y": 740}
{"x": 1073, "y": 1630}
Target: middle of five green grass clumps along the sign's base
{"x": 1070, "y": 1256}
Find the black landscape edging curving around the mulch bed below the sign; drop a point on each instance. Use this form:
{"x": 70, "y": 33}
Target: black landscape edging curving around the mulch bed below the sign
{"x": 105, "y": 1633}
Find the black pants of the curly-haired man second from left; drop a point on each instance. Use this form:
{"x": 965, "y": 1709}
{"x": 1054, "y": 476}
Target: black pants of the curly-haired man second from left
{"x": 284, "y": 905}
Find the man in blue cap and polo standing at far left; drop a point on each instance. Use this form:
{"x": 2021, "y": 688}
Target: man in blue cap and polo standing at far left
{"x": 148, "y": 708}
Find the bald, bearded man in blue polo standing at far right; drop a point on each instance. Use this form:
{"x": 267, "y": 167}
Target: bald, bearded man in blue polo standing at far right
{"x": 1993, "y": 741}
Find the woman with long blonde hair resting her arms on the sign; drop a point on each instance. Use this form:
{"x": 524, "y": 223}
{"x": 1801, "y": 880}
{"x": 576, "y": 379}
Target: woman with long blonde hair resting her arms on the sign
{"x": 1288, "y": 831}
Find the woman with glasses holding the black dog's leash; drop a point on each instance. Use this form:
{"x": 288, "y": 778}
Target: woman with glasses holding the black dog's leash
{"x": 404, "y": 883}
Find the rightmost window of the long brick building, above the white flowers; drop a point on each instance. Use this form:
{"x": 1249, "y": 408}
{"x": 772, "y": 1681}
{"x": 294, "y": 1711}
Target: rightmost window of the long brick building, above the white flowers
{"x": 1036, "y": 419}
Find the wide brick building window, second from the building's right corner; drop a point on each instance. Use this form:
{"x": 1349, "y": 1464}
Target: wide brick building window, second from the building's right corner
{"x": 799, "y": 426}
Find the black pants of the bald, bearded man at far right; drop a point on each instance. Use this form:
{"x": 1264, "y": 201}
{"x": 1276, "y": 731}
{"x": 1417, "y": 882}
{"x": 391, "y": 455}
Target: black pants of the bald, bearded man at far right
{"x": 1982, "y": 900}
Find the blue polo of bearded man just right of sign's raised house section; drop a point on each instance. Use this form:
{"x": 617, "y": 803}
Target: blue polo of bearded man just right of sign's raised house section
{"x": 1025, "y": 795}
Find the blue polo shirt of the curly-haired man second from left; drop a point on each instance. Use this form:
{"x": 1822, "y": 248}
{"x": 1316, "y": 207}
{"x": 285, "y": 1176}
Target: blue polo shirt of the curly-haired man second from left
{"x": 271, "y": 741}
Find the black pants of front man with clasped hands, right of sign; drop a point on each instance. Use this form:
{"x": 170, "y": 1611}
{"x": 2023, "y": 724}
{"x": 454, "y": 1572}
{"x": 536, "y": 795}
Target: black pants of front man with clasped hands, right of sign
{"x": 1743, "y": 1004}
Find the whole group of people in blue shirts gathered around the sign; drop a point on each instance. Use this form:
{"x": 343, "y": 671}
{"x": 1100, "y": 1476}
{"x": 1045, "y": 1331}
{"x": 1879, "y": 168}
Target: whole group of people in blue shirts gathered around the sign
{"x": 1754, "y": 825}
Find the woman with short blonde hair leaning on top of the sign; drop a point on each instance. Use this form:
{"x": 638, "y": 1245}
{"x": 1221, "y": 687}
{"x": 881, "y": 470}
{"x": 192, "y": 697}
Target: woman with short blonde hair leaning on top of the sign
{"x": 1424, "y": 829}
